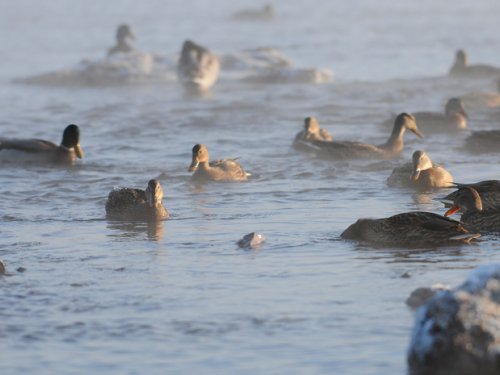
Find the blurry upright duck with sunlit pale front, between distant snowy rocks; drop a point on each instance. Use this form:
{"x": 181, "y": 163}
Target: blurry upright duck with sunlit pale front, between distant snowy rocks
{"x": 197, "y": 68}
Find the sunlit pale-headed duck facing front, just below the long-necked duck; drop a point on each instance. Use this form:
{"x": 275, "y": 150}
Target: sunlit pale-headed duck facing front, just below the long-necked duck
{"x": 421, "y": 174}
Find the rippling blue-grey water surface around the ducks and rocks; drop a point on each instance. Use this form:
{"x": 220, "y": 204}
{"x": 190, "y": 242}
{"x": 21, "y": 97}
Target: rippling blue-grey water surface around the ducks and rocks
{"x": 84, "y": 294}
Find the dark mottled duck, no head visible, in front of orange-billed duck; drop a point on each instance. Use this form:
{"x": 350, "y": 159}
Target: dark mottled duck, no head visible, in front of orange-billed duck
{"x": 410, "y": 229}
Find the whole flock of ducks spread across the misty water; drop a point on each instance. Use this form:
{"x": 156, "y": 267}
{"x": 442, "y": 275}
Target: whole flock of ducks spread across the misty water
{"x": 198, "y": 69}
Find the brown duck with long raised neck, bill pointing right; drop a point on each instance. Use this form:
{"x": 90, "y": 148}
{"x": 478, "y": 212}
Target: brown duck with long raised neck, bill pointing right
{"x": 339, "y": 150}
